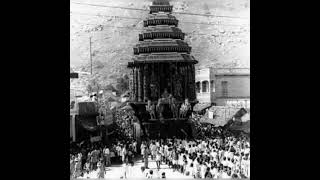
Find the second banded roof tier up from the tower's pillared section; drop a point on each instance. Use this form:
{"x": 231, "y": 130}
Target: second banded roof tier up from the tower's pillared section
{"x": 161, "y": 31}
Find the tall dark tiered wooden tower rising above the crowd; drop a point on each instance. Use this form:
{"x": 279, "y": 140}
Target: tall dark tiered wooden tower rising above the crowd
{"x": 162, "y": 80}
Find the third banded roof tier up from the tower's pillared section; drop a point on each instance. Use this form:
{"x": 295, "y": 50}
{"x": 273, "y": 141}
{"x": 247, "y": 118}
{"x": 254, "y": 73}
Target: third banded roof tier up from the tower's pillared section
{"x": 160, "y": 19}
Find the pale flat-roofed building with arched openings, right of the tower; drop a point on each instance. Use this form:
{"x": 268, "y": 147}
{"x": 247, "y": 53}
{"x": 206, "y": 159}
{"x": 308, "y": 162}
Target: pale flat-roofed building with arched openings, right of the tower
{"x": 224, "y": 86}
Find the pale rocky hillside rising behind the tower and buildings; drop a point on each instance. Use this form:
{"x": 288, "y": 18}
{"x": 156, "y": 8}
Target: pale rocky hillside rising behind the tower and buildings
{"x": 217, "y": 30}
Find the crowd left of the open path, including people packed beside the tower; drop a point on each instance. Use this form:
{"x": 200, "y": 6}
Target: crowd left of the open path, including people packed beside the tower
{"x": 87, "y": 156}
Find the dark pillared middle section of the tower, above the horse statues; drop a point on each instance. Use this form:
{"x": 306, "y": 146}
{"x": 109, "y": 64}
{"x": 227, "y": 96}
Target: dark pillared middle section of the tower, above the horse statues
{"x": 155, "y": 80}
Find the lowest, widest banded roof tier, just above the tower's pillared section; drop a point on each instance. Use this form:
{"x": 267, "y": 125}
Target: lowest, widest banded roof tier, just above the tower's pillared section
{"x": 161, "y": 45}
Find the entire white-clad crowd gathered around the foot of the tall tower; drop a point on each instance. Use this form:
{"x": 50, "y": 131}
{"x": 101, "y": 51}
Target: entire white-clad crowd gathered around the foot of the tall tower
{"x": 215, "y": 153}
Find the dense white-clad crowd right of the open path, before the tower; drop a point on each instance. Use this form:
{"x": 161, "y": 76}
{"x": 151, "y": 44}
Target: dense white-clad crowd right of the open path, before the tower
{"x": 218, "y": 157}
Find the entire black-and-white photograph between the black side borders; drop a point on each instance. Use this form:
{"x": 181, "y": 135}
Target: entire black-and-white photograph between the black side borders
{"x": 159, "y": 89}
